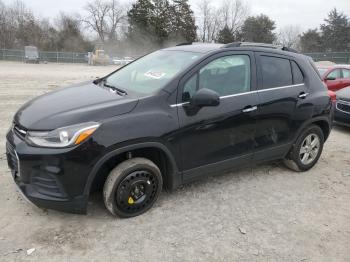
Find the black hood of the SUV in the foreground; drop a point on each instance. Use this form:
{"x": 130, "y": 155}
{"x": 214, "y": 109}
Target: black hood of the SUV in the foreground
{"x": 76, "y": 104}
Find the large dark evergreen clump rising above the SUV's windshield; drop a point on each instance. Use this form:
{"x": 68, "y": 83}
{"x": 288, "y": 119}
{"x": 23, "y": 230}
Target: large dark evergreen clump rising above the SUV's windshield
{"x": 157, "y": 22}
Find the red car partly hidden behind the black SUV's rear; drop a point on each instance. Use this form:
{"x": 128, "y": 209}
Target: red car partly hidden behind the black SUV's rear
{"x": 335, "y": 77}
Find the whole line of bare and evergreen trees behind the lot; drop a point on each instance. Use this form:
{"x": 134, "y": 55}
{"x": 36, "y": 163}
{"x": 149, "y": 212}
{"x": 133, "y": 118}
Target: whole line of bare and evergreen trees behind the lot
{"x": 146, "y": 25}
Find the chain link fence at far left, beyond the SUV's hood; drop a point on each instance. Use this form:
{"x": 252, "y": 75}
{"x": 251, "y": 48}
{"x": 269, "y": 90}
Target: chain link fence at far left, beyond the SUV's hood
{"x": 45, "y": 56}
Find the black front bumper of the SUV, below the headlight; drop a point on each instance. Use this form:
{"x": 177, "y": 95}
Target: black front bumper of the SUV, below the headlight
{"x": 51, "y": 178}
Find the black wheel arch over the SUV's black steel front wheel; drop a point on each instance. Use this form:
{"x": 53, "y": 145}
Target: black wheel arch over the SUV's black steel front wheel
{"x": 166, "y": 163}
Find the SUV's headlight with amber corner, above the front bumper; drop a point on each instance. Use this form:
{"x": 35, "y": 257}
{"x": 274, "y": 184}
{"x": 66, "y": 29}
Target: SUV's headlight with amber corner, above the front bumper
{"x": 62, "y": 137}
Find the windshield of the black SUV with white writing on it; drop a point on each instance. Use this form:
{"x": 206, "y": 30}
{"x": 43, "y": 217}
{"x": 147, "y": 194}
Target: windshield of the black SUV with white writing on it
{"x": 152, "y": 72}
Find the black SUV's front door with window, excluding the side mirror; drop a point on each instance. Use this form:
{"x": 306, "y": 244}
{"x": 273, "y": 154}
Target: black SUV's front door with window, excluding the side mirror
{"x": 218, "y": 137}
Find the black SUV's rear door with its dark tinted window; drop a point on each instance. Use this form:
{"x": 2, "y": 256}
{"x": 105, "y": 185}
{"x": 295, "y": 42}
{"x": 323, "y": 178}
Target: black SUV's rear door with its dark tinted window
{"x": 283, "y": 98}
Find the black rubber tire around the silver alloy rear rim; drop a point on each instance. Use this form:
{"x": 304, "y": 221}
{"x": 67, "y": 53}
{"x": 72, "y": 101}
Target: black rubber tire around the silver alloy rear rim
{"x": 295, "y": 156}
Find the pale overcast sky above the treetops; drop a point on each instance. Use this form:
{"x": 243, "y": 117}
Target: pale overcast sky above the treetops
{"x": 305, "y": 13}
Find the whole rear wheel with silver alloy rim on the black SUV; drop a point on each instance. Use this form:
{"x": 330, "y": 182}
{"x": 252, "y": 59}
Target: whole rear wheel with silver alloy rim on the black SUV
{"x": 307, "y": 149}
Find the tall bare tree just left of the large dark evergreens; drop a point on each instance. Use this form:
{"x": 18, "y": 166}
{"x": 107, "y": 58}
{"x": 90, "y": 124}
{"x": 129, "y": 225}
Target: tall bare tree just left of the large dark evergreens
{"x": 104, "y": 17}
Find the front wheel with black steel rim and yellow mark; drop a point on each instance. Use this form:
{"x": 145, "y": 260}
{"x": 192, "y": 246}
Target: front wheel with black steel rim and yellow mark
{"x": 132, "y": 187}
